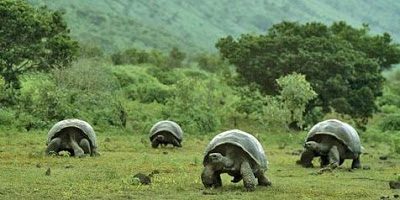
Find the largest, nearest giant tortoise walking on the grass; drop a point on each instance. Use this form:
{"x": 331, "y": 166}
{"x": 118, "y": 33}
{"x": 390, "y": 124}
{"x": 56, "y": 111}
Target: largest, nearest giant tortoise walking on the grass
{"x": 237, "y": 153}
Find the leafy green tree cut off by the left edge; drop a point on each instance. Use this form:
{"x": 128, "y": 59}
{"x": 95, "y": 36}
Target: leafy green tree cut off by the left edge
{"x": 32, "y": 39}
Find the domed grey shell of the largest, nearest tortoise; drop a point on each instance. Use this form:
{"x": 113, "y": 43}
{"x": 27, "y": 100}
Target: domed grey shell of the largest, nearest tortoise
{"x": 244, "y": 140}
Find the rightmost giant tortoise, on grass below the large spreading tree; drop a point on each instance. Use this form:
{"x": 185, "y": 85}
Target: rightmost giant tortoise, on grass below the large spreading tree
{"x": 334, "y": 141}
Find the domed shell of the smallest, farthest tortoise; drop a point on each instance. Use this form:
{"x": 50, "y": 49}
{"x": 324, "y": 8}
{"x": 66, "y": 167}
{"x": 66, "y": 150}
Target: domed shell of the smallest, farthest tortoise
{"x": 168, "y": 126}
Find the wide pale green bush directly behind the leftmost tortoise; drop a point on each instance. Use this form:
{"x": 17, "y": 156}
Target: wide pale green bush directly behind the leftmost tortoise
{"x": 87, "y": 90}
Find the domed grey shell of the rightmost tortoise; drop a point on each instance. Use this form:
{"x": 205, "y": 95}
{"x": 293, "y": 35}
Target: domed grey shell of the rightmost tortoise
{"x": 342, "y": 131}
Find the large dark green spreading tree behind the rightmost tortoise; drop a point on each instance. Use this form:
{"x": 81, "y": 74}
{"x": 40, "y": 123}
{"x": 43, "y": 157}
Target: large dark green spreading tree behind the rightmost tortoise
{"x": 343, "y": 64}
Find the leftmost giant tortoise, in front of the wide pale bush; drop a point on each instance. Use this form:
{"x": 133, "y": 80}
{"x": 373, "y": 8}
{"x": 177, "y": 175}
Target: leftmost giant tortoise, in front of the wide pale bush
{"x": 72, "y": 135}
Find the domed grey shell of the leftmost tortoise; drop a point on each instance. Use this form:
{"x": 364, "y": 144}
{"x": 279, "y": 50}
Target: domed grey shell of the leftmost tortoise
{"x": 80, "y": 124}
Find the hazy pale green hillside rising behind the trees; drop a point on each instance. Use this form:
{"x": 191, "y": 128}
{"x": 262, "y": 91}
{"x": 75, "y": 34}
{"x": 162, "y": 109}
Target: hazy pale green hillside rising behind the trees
{"x": 195, "y": 25}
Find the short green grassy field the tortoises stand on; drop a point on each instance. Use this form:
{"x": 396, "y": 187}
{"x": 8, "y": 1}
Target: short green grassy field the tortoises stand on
{"x": 23, "y": 171}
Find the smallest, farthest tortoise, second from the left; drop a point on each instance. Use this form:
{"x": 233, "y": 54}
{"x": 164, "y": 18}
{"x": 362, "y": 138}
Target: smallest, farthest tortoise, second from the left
{"x": 166, "y": 132}
